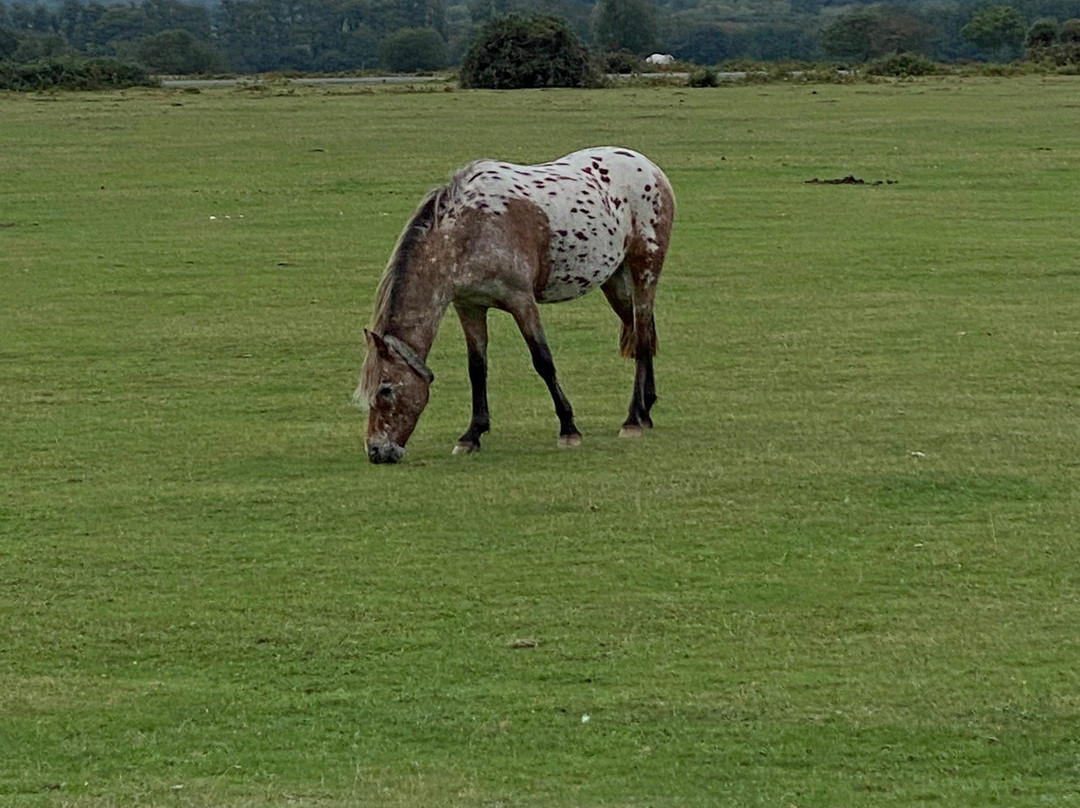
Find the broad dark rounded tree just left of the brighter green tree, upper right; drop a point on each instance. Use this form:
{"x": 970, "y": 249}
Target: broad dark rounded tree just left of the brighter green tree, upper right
{"x": 871, "y": 33}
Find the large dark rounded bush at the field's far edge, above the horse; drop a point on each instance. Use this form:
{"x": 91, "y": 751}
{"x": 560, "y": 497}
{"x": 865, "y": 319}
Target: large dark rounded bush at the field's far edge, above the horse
{"x": 518, "y": 52}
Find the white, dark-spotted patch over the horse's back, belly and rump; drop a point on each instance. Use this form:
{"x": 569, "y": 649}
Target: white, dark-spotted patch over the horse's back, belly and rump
{"x": 591, "y": 199}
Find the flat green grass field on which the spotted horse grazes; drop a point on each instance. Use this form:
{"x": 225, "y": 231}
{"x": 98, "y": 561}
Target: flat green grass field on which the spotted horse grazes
{"x": 842, "y": 572}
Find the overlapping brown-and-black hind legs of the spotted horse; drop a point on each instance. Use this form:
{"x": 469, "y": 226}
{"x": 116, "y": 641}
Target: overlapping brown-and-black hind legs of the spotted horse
{"x": 632, "y": 302}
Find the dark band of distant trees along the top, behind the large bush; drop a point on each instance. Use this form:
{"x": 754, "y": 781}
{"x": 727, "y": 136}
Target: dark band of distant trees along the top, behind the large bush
{"x": 330, "y": 36}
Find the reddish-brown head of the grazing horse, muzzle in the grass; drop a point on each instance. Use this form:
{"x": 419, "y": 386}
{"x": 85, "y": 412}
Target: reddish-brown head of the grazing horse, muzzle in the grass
{"x": 394, "y": 388}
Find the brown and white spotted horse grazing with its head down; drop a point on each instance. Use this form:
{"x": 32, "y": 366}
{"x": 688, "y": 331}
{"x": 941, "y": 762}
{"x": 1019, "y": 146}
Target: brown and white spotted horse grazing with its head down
{"x": 510, "y": 237}
